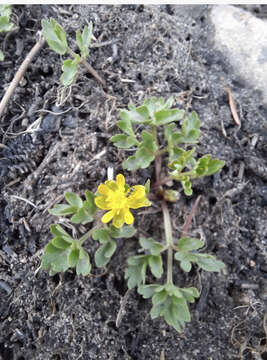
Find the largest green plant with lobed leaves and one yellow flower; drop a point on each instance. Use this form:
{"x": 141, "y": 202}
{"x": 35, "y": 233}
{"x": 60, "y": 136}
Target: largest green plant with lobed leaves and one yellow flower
{"x": 158, "y": 121}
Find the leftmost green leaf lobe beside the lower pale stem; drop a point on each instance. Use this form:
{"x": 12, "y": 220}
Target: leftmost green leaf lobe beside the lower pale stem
{"x": 136, "y": 272}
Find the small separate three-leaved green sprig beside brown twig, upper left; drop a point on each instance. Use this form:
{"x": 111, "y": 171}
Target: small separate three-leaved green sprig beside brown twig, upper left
{"x": 56, "y": 38}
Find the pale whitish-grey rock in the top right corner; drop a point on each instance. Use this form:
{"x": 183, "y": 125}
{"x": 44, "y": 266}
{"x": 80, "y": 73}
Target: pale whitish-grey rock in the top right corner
{"x": 243, "y": 40}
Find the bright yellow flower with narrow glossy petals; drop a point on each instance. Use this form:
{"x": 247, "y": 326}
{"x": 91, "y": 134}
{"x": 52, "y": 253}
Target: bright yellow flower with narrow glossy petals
{"x": 117, "y": 197}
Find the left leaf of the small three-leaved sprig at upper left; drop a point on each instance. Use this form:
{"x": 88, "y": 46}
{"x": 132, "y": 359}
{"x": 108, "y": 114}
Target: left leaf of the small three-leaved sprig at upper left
{"x": 55, "y": 36}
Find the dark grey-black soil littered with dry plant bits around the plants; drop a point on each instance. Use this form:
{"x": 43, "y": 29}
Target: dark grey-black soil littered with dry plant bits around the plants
{"x": 152, "y": 51}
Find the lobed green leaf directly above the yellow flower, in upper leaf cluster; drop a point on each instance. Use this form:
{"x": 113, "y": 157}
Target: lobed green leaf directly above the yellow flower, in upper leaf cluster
{"x": 144, "y": 155}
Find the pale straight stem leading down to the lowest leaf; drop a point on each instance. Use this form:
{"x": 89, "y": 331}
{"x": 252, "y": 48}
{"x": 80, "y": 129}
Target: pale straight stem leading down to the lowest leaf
{"x": 169, "y": 240}
